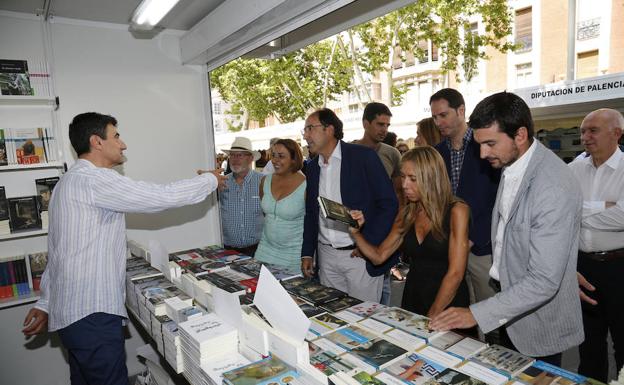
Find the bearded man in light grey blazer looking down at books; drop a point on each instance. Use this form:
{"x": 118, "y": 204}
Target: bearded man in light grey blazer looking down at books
{"x": 535, "y": 235}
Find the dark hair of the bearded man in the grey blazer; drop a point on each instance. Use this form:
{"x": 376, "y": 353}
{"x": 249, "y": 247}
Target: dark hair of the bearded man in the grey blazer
{"x": 506, "y": 109}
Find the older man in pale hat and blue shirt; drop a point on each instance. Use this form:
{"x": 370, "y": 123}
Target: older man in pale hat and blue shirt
{"x": 241, "y": 214}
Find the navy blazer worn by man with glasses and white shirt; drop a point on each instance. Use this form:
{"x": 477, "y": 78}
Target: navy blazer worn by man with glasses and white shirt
{"x": 365, "y": 186}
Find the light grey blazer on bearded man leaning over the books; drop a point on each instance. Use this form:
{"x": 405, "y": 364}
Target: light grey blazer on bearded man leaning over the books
{"x": 539, "y": 299}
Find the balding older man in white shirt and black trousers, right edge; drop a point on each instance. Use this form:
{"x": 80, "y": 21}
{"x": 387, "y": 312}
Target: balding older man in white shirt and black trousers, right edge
{"x": 601, "y": 248}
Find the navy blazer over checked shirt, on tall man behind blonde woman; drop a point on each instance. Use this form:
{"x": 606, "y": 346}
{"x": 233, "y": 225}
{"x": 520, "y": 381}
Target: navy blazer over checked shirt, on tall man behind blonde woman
{"x": 478, "y": 183}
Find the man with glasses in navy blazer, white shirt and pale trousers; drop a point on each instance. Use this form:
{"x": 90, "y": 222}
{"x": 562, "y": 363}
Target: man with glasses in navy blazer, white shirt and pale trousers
{"x": 354, "y": 176}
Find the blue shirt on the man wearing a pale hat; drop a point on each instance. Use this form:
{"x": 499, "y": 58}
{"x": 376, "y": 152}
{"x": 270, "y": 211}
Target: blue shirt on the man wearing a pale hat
{"x": 241, "y": 214}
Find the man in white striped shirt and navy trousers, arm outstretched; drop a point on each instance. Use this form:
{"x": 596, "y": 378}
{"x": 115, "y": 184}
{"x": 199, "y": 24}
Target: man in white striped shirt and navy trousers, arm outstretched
{"x": 82, "y": 288}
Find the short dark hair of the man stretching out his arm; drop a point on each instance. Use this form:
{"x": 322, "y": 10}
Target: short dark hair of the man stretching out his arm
{"x": 84, "y": 125}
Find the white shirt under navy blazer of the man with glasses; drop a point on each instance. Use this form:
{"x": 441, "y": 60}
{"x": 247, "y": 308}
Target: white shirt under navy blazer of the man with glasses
{"x": 332, "y": 232}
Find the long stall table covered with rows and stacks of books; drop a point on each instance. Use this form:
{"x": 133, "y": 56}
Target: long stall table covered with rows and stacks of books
{"x": 217, "y": 316}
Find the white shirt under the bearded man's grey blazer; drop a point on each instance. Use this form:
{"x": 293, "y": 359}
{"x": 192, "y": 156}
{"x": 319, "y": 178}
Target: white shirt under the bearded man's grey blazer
{"x": 512, "y": 178}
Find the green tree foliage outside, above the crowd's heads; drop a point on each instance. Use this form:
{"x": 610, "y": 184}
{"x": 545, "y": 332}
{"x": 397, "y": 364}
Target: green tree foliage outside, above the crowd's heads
{"x": 289, "y": 86}
